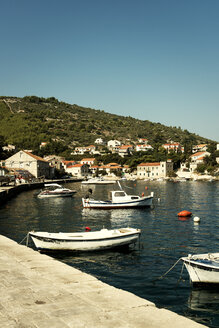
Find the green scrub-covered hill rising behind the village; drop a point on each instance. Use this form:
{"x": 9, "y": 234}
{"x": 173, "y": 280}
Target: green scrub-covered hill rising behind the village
{"x": 28, "y": 121}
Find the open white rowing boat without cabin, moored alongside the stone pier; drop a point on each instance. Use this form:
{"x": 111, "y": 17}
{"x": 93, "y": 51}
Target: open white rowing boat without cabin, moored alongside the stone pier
{"x": 85, "y": 241}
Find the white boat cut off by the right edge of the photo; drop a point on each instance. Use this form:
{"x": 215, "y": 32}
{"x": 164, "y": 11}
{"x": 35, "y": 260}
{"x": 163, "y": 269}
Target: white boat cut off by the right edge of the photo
{"x": 203, "y": 269}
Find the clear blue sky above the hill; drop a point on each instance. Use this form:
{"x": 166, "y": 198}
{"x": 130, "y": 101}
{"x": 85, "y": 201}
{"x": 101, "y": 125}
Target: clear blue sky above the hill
{"x": 154, "y": 60}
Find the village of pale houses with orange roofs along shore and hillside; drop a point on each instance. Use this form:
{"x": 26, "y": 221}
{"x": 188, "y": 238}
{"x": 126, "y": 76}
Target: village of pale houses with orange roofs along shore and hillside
{"x": 24, "y": 166}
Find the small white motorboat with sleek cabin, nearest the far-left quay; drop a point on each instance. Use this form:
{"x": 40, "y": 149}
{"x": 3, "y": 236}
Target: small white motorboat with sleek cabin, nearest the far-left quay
{"x": 55, "y": 190}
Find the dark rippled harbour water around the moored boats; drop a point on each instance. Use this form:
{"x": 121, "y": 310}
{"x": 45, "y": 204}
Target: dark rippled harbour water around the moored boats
{"x": 164, "y": 239}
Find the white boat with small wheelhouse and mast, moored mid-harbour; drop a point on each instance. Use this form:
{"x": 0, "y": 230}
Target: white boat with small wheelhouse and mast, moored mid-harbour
{"x": 119, "y": 199}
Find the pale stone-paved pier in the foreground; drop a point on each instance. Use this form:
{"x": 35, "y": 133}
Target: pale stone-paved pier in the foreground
{"x": 37, "y": 291}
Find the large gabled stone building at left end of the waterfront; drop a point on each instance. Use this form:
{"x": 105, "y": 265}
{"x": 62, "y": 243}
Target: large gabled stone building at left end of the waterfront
{"x": 36, "y": 165}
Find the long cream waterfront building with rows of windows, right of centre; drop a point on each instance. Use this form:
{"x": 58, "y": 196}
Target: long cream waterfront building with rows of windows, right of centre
{"x": 154, "y": 170}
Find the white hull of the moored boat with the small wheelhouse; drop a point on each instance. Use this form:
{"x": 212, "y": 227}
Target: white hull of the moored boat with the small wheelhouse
{"x": 91, "y": 203}
